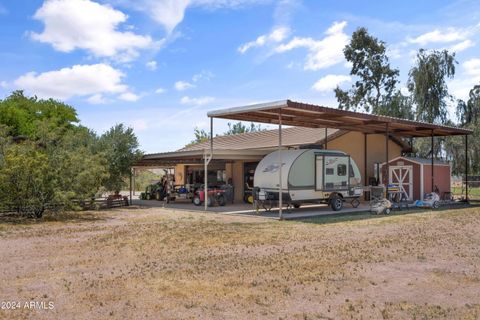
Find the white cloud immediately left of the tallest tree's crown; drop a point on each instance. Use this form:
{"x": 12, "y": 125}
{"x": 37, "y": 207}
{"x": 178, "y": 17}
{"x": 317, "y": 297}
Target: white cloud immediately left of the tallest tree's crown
{"x": 321, "y": 53}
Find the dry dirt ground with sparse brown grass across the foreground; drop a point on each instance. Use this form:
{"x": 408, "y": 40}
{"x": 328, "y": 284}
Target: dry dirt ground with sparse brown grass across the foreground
{"x": 162, "y": 264}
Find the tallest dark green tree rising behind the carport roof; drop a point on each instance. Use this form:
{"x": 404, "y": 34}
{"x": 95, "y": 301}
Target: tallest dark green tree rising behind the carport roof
{"x": 376, "y": 79}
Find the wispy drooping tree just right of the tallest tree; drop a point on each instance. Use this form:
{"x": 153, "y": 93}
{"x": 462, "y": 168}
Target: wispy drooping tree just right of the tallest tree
{"x": 428, "y": 84}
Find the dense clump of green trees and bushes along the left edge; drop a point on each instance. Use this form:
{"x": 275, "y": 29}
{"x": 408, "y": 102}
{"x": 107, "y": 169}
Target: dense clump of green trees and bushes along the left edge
{"x": 48, "y": 160}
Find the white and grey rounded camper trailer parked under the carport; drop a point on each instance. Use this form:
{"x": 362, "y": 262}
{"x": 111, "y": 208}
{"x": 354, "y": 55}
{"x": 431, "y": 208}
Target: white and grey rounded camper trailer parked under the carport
{"x": 309, "y": 176}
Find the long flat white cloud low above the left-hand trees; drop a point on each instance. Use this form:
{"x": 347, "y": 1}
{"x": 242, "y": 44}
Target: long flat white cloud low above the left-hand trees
{"x": 79, "y": 80}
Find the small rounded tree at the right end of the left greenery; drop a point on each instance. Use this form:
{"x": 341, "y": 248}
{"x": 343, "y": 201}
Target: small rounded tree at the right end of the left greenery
{"x": 121, "y": 149}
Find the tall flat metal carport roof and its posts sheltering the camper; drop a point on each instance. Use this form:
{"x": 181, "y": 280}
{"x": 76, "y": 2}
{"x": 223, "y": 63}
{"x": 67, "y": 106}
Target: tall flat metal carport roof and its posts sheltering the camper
{"x": 286, "y": 112}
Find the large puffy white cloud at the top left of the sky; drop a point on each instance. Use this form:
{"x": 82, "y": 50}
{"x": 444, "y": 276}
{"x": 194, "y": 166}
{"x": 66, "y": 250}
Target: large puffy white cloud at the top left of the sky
{"x": 83, "y": 24}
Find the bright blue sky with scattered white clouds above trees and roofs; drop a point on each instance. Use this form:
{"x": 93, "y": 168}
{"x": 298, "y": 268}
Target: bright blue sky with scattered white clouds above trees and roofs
{"x": 160, "y": 65}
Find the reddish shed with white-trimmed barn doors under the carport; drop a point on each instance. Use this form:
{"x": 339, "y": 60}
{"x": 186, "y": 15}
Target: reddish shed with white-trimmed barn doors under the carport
{"x": 414, "y": 176}
